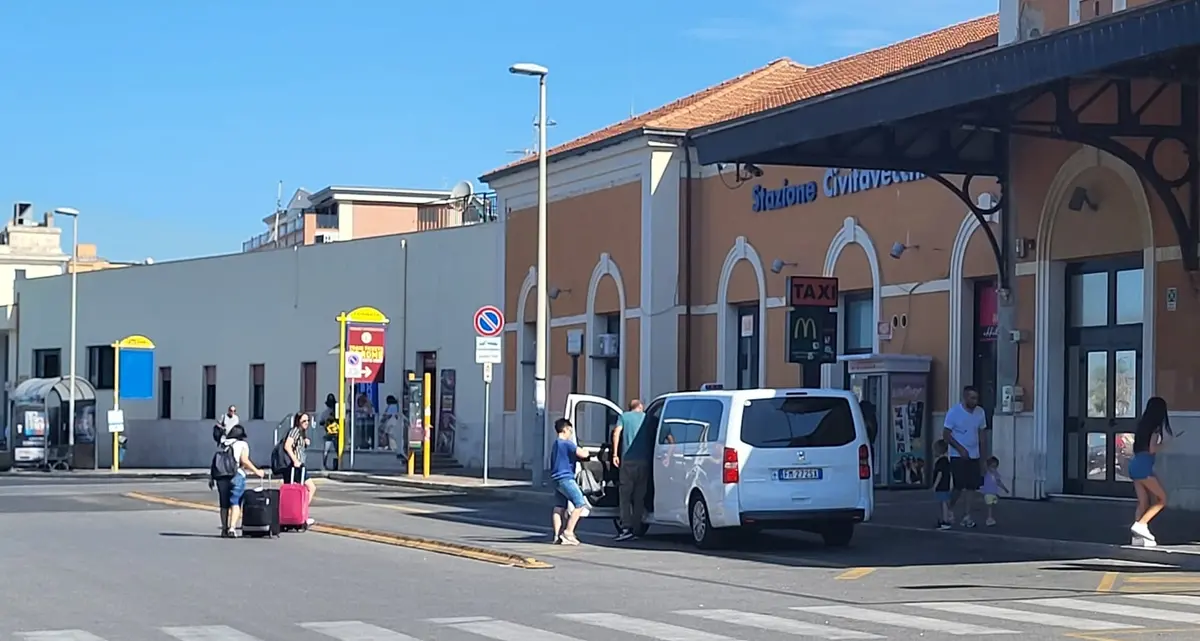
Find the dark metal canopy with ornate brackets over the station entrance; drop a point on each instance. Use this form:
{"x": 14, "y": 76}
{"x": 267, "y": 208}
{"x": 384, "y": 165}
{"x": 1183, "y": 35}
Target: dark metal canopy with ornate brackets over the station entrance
{"x": 955, "y": 117}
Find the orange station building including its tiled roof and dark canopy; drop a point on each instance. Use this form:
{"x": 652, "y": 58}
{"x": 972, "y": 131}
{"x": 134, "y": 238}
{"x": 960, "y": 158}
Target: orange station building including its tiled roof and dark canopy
{"x": 993, "y": 213}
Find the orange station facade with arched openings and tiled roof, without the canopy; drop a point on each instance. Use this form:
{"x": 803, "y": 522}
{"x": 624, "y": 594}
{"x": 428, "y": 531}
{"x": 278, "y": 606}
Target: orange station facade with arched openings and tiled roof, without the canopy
{"x": 667, "y": 273}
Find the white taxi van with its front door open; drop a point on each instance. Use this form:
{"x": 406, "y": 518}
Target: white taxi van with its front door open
{"x": 746, "y": 460}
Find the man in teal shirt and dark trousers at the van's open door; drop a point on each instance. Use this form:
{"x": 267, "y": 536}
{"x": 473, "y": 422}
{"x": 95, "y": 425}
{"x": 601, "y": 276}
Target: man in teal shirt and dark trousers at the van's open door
{"x": 634, "y": 450}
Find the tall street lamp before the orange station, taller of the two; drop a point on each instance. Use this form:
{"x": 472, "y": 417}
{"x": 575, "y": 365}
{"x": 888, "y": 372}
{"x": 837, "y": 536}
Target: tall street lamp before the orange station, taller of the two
{"x": 539, "y": 369}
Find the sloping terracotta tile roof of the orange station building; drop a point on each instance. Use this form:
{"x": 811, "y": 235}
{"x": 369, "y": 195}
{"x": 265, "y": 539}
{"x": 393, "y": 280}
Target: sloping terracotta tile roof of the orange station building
{"x": 783, "y": 82}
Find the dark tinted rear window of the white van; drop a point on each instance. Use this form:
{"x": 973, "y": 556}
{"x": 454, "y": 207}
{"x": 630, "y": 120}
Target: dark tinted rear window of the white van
{"x": 797, "y": 422}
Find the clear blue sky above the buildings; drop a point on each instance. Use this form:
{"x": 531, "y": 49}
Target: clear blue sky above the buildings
{"x": 171, "y": 124}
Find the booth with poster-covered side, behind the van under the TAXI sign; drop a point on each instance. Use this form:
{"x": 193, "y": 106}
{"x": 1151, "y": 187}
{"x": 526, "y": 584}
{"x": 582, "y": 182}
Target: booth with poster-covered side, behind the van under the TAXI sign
{"x": 895, "y": 390}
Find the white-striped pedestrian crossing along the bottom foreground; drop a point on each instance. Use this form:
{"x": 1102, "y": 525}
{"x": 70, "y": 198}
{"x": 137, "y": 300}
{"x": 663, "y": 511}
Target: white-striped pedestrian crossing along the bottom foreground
{"x": 933, "y": 620}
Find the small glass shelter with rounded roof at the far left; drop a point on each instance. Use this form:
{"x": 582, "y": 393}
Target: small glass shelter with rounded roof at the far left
{"x": 40, "y": 428}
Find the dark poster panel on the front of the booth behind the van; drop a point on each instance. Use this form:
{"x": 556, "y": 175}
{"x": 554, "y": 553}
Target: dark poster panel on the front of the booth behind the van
{"x": 908, "y": 399}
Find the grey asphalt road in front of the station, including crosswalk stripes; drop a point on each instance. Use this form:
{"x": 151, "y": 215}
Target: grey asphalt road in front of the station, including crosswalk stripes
{"x": 85, "y": 564}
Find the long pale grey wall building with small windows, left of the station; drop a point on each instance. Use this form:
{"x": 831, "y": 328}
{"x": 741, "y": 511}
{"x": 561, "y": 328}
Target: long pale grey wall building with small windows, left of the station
{"x": 257, "y": 330}
